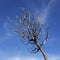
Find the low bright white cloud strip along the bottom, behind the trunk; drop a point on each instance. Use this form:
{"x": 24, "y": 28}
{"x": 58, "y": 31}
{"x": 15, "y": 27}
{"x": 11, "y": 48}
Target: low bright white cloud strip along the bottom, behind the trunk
{"x": 51, "y": 57}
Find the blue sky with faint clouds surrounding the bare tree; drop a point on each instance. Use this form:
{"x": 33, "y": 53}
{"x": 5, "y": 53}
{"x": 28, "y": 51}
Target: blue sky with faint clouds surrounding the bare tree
{"x": 11, "y": 47}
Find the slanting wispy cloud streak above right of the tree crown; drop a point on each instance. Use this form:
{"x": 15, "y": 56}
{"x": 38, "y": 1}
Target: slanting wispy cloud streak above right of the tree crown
{"x": 45, "y": 12}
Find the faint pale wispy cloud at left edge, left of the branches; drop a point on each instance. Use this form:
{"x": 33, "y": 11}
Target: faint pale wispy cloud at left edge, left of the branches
{"x": 6, "y": 35}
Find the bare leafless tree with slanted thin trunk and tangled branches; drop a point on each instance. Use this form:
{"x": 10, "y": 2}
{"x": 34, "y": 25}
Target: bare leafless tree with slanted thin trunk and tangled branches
{"x": 31, "y": 29}
